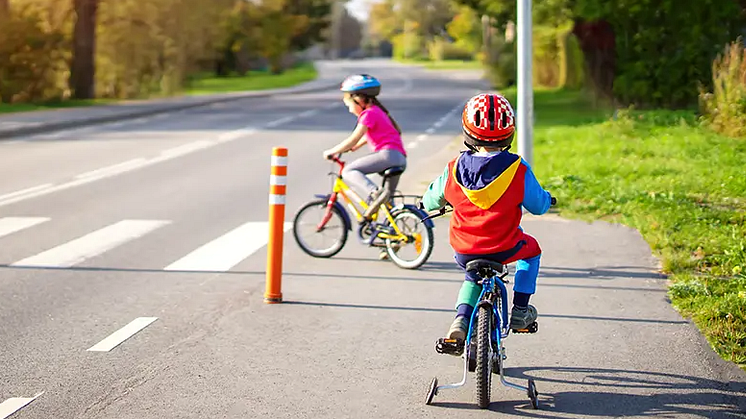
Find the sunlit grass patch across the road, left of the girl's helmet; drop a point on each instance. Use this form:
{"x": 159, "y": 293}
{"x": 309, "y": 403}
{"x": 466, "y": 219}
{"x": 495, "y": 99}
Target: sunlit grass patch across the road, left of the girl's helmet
{"x": 255, "y": 80}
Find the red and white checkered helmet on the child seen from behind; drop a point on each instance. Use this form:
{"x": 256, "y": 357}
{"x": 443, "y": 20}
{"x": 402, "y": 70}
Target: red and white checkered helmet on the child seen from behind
{"x": 488, "y": 120}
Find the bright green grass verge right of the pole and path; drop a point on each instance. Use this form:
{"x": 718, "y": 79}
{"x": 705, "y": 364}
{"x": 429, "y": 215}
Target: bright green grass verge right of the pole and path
{"x": 681, "y": 185}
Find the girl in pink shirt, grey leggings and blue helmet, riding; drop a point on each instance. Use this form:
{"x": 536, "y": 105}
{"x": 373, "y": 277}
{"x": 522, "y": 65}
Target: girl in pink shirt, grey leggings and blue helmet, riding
{"x": 377, "y": 127}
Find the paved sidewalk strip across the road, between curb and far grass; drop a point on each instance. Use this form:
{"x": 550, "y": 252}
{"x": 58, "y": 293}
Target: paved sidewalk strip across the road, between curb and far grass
{"x": 34, "y": 122}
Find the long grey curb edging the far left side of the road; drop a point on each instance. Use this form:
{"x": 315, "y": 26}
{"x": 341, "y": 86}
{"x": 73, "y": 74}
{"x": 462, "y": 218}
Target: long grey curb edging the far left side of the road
{"x": 77, "y": 123}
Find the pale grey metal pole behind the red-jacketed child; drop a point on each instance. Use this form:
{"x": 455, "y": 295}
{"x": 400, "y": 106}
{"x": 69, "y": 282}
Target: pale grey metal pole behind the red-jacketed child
{"x": 525, "y": 117}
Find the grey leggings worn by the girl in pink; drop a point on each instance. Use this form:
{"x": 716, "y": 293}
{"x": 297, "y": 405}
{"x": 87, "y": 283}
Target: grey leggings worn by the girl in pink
{"x": 354, "y": 172}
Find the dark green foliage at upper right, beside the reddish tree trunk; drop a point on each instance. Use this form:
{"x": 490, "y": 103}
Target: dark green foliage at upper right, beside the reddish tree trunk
{"x": 665, "y": 48}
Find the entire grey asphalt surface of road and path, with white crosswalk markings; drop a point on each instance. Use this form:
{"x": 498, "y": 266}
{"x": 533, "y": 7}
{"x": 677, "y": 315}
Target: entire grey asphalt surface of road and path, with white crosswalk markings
{"x": 132, "y": 261}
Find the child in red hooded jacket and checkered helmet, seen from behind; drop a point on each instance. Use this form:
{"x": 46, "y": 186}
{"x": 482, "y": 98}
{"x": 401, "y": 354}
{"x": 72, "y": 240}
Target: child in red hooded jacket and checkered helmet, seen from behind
{"x": 487, "y": 186}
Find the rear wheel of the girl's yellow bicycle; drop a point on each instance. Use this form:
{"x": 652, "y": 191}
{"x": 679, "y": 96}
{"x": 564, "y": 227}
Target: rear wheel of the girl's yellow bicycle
{"x": 411, "y": 254}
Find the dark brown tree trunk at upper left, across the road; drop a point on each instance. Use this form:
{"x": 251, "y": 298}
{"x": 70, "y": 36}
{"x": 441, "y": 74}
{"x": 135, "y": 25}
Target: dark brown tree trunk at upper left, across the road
{"x": 83, "y": 68}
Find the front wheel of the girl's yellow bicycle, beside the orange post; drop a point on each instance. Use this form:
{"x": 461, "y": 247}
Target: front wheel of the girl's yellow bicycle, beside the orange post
{"x": 314, "y": 235}
